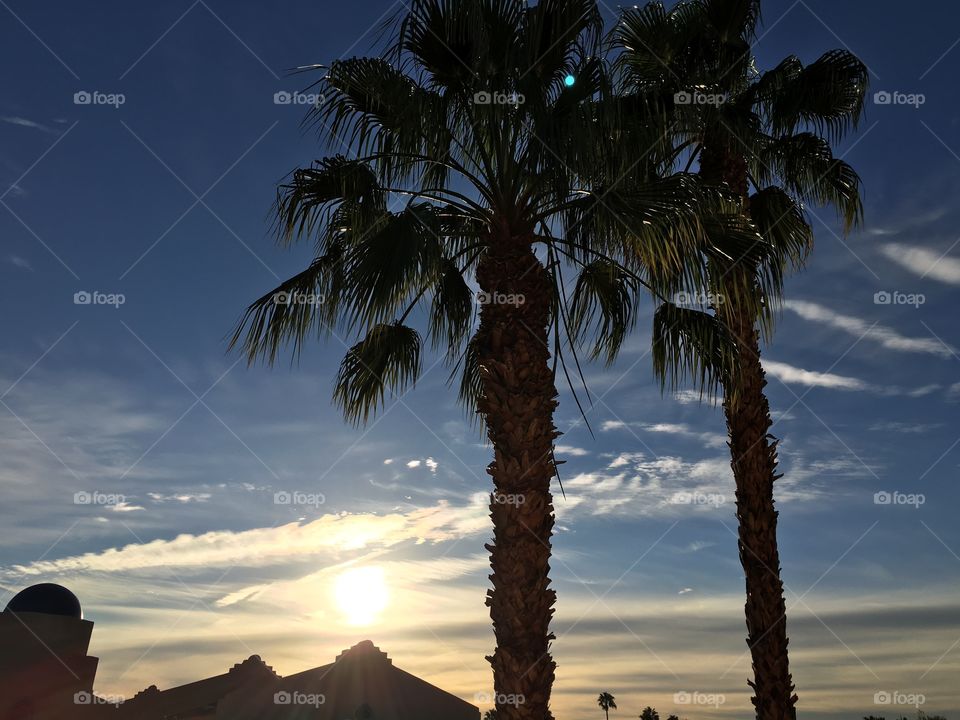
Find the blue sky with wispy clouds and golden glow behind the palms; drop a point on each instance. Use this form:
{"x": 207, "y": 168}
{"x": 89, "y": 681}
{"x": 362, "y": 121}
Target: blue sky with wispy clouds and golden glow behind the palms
{"x": 165, "y": 200}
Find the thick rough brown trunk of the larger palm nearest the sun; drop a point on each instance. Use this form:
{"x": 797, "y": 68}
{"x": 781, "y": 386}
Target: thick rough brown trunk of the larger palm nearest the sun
{"x": 519, "y": 398}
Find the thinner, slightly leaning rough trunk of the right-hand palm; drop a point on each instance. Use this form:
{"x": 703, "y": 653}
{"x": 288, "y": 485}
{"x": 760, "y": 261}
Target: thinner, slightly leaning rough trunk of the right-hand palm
{"x": 754, "y": 462}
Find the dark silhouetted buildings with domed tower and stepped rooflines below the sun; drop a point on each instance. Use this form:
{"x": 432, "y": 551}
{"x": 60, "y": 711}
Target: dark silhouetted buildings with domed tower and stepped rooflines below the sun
{"x": 46, "y": 674}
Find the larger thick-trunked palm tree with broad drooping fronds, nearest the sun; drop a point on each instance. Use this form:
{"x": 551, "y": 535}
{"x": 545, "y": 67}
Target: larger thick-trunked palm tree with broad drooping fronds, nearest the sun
{"x": 478, "y": 118}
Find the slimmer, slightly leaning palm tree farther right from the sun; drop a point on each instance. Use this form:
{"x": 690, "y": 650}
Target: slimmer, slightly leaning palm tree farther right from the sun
{"x": 766, "y": 138}
